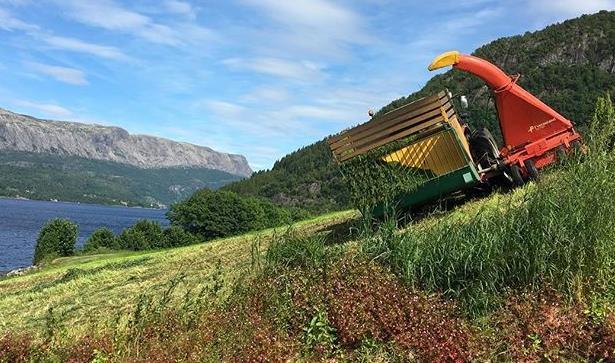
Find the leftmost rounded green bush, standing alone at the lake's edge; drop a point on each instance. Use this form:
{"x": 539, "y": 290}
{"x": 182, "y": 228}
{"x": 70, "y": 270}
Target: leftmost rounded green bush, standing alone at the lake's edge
{"x": 56, "y": 238}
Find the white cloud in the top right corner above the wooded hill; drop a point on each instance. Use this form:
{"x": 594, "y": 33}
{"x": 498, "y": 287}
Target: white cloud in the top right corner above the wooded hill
{"x": 569, "y": 8}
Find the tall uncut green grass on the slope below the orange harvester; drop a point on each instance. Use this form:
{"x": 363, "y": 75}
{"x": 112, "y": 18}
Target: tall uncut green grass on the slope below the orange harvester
{"x": 558, "y": 232}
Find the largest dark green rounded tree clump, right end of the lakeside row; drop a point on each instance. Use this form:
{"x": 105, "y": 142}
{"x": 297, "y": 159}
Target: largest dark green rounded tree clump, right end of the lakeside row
{"x": 213, "y": 214}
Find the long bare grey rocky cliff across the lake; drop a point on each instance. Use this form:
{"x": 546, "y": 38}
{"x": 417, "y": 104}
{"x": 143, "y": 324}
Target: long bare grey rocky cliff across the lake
{"x": 25, "y": 133}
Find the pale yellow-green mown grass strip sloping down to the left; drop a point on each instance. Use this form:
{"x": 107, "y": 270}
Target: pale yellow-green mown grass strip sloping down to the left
{"x": 88, "y": 292}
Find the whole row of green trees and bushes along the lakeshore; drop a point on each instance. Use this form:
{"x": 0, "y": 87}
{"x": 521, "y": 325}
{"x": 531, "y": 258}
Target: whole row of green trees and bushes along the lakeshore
{"x": 205, "y": 216}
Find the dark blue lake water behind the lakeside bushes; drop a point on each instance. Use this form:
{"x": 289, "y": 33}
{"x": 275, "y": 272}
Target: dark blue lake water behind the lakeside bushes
{"x": 21, "y": 220}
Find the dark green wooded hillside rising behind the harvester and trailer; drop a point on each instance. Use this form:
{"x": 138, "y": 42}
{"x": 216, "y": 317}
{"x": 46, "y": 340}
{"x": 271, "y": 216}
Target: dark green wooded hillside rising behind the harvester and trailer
{"x": 567, "y": 65}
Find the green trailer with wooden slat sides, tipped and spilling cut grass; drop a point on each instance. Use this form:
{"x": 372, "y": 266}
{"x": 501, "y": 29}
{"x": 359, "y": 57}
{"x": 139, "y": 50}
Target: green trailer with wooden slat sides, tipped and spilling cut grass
{"x": 409, "y": 156}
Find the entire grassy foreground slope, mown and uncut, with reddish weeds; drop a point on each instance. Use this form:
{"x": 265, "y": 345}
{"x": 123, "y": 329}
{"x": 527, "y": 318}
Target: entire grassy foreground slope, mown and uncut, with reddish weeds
{"x": 523, "y": 276}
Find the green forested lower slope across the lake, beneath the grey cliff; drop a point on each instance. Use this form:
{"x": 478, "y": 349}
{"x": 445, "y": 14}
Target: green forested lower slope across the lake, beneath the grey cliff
{"x": 68, "y": 178}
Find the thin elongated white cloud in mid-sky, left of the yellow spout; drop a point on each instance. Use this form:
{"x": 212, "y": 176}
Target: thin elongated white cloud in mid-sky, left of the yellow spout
{"x": 302, "y": 70}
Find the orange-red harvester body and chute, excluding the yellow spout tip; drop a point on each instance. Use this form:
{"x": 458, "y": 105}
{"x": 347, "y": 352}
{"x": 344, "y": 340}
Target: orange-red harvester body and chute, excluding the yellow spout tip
{"x": 530, "y": 128}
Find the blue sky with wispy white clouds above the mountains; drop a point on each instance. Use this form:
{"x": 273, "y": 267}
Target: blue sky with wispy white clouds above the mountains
{"x": 255, "y": 77}
